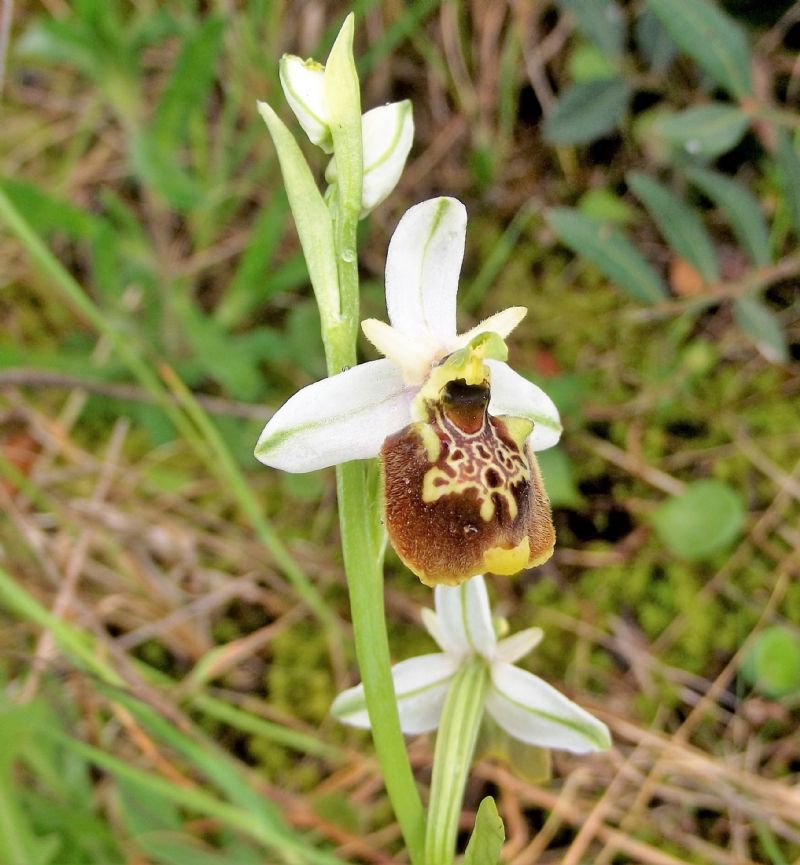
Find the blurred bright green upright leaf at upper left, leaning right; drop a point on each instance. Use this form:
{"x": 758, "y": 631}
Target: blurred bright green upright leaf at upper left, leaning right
{"x": 188, "y": 86}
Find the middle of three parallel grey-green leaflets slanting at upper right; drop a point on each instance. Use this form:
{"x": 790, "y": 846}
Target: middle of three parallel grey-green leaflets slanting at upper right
{"x": 678, "y": 223}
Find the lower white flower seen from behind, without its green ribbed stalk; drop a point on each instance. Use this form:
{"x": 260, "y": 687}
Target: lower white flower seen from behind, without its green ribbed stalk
{"x": 523, "y": 705}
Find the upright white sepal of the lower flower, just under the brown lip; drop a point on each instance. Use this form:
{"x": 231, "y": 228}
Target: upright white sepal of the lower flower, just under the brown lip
{"x": 465, "y": 618}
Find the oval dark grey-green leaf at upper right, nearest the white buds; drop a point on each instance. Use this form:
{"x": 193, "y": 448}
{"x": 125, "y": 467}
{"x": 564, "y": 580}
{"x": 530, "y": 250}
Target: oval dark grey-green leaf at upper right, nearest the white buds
{"x": 587, "y": 111}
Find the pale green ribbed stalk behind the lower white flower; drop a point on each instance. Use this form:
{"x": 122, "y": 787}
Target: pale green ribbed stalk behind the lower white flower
{"x": 455, "y": 745}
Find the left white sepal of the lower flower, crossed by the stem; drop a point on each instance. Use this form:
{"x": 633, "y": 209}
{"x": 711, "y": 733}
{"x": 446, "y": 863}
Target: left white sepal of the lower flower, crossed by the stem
{"x": 420, "y": 685}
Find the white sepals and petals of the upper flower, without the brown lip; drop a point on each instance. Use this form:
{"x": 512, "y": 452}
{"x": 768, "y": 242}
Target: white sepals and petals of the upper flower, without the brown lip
{"x": 348, "y": 416}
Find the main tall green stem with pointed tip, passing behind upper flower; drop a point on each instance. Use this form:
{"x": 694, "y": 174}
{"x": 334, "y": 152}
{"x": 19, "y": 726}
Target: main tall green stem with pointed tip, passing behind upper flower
{"x": 362, "y": 559}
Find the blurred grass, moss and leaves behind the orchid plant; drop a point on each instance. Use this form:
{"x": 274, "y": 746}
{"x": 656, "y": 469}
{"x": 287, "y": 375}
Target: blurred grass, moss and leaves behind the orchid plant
{"x": 174, "y": 623}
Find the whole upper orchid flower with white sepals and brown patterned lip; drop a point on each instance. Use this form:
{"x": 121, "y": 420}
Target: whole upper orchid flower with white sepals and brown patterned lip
{"x": 456, "y": 428}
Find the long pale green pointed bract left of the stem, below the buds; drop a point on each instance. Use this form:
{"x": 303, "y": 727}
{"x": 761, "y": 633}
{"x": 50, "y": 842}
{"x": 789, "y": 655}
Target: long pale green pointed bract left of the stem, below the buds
{"x": 311, "y": 216}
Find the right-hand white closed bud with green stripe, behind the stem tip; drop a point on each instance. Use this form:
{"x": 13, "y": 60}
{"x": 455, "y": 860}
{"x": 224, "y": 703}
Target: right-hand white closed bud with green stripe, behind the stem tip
{"x": 387, "y": 134}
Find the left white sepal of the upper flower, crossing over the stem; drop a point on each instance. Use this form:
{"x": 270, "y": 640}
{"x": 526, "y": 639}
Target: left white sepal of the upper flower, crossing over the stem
{"x": 345, "y": 417}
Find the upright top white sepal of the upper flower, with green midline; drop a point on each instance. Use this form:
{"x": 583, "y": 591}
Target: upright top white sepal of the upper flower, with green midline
{"x": 423, "y": 266}
